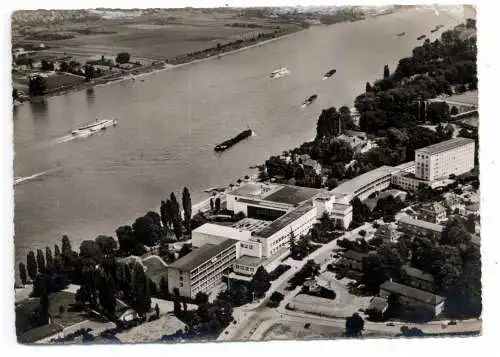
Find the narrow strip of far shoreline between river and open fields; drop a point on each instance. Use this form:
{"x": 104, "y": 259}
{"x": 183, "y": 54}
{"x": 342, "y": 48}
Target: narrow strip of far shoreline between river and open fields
{"x": 155, "y": 68}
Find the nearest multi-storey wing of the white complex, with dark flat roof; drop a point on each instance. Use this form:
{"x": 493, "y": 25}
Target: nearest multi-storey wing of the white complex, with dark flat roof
{"x": 202, "y": 269}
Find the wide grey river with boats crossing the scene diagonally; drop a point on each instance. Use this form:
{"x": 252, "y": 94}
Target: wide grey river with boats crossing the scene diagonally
{"x": 170, "y": 122}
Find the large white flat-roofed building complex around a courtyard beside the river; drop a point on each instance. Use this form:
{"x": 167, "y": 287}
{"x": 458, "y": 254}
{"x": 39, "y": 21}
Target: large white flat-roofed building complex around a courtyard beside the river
{"x": 274, "y": 215}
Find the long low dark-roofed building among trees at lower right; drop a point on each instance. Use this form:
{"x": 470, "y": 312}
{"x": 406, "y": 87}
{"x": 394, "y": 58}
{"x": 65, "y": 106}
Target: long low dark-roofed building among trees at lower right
{"x": 413, "y": 299}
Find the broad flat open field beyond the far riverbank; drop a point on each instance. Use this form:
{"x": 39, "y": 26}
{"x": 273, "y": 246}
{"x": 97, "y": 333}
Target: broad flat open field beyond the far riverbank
{"x": 156, "y": 37}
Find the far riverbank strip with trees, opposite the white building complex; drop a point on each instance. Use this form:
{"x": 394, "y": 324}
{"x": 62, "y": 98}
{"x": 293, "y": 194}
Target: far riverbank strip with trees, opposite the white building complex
{"x": 181, "y": 61}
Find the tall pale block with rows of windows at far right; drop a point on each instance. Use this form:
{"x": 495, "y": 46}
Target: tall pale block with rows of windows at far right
{"x": 438, "y": 161}
